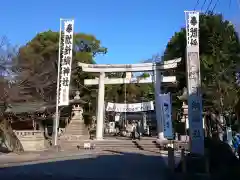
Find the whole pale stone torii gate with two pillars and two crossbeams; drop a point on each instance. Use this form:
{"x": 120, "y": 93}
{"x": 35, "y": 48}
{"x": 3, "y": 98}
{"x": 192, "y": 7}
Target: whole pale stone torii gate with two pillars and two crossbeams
{"x": 157, "y": 79}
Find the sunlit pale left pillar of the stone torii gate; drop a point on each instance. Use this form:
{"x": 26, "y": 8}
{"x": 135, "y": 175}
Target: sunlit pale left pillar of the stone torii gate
{"x": 100, "y": 107}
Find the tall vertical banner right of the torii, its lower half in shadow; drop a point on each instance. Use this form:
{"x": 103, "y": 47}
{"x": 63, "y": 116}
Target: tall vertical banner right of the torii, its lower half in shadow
{"x": 194, "y": 84}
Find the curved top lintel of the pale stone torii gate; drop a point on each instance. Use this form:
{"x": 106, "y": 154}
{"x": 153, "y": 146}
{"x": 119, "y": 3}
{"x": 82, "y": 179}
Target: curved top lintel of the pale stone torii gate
{"x": 129, "y": 67}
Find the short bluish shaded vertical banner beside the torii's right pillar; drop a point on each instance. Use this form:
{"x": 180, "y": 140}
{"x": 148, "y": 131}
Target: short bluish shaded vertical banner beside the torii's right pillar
{"x": 166, "y": 105}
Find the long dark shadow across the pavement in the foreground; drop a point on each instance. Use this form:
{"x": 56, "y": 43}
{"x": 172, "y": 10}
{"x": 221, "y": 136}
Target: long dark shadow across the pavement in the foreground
{"x": 121, "y": 166}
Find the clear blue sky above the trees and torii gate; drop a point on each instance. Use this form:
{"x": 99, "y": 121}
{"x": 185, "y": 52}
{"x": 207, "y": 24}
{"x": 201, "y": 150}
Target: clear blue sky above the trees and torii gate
{"x": 132, "y": 30}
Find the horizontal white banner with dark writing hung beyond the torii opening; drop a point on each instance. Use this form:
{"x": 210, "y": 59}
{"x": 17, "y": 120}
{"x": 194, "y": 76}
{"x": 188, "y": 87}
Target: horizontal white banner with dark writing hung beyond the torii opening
{"x": 134, "y": 107}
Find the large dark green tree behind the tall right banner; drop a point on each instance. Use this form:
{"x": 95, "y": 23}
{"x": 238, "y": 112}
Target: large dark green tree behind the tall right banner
{"x": 219, "y": 58}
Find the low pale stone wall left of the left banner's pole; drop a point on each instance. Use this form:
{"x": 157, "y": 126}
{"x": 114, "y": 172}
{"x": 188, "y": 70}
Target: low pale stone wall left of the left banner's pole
{"x": 32, "y": 140}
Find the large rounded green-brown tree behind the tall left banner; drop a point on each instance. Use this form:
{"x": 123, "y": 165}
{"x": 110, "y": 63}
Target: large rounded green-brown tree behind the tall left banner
{"x": 37, "y": 62}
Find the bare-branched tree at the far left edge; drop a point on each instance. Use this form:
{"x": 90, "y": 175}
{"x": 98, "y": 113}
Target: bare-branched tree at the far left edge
{"x": 7, "y": 93}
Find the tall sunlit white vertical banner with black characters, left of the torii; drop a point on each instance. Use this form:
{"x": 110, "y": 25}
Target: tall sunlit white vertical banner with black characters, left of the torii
{"x": 66, "y": 63}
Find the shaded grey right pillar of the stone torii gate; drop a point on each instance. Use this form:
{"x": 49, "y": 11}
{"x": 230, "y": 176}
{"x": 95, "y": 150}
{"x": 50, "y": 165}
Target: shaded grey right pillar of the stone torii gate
{"x": 157, "y": 86}
